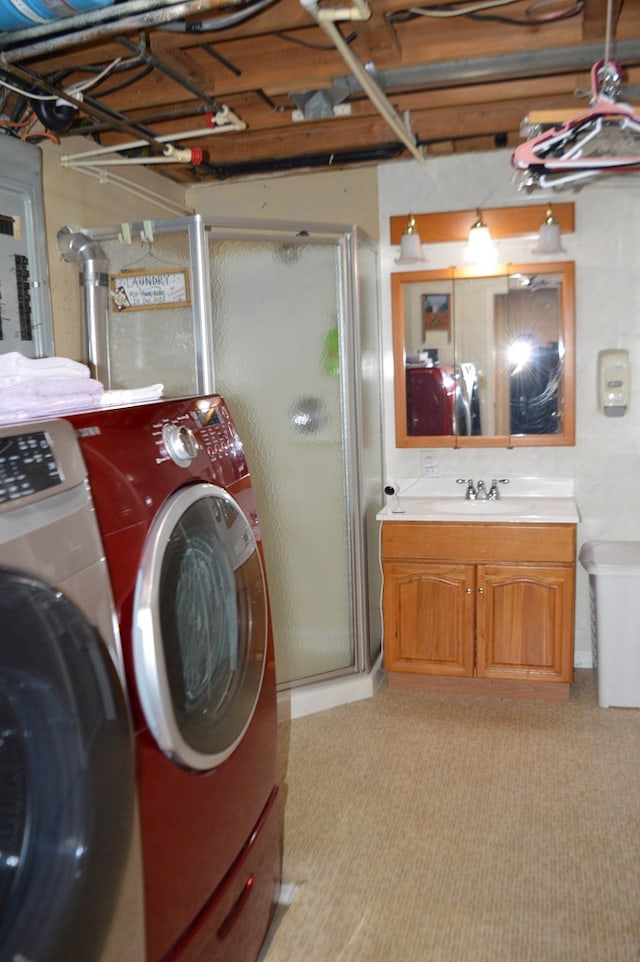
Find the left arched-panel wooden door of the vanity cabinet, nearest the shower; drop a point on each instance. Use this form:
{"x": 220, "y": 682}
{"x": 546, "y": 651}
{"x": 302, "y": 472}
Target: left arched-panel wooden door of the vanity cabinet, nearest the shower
{"x": 429, "y": 615}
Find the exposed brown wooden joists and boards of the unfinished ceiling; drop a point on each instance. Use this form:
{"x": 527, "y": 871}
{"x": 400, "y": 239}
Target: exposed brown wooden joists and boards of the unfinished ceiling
{"x": 255, "y": 66}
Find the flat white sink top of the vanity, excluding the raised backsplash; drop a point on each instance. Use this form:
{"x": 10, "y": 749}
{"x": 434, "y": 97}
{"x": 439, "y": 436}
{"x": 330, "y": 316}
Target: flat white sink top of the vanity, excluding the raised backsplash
{"x": 525, "y": 509}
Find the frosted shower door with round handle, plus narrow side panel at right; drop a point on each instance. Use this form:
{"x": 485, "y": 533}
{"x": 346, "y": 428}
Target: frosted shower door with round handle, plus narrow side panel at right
{"x": 296, "y": 356}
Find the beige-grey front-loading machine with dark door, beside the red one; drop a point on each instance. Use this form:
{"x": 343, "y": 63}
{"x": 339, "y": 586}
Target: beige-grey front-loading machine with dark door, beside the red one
{"x": 70, "y": 871}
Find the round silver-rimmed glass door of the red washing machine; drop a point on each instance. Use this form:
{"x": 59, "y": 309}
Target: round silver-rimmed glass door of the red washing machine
{"x": 200, "y": 626}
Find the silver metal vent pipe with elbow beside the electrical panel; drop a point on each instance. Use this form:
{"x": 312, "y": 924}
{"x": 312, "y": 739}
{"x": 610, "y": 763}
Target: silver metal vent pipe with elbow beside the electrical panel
{"x": 80, "y": 249}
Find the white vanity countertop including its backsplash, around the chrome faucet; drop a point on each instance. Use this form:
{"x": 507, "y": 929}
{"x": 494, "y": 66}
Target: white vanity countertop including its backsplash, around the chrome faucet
{"x": 529, "y": 500}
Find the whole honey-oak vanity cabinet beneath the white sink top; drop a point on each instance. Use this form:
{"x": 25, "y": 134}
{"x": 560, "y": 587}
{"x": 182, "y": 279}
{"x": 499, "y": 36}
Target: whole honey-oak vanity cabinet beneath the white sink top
{"x": 472, "y": 607}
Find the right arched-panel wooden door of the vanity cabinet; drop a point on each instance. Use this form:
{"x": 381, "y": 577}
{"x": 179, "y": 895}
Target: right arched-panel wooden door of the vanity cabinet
{"x": 525, "y": 622}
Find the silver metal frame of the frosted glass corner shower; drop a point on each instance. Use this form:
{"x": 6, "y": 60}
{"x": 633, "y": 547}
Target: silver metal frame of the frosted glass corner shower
{"x": 349, "y": 239}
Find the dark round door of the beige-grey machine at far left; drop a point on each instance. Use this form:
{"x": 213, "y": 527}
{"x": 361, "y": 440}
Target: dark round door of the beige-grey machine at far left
{"x": 67, "y": 778}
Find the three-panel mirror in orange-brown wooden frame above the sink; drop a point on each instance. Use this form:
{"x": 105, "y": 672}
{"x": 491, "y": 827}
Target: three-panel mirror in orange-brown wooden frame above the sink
{"x": 484, "y": 359}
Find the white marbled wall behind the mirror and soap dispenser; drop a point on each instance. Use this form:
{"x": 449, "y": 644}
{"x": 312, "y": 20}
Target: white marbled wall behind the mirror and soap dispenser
{"x": 605, "y": 461}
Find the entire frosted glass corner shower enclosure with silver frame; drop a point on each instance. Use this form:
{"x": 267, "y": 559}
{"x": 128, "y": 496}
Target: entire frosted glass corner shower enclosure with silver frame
{"x": 283, "y": 321}
